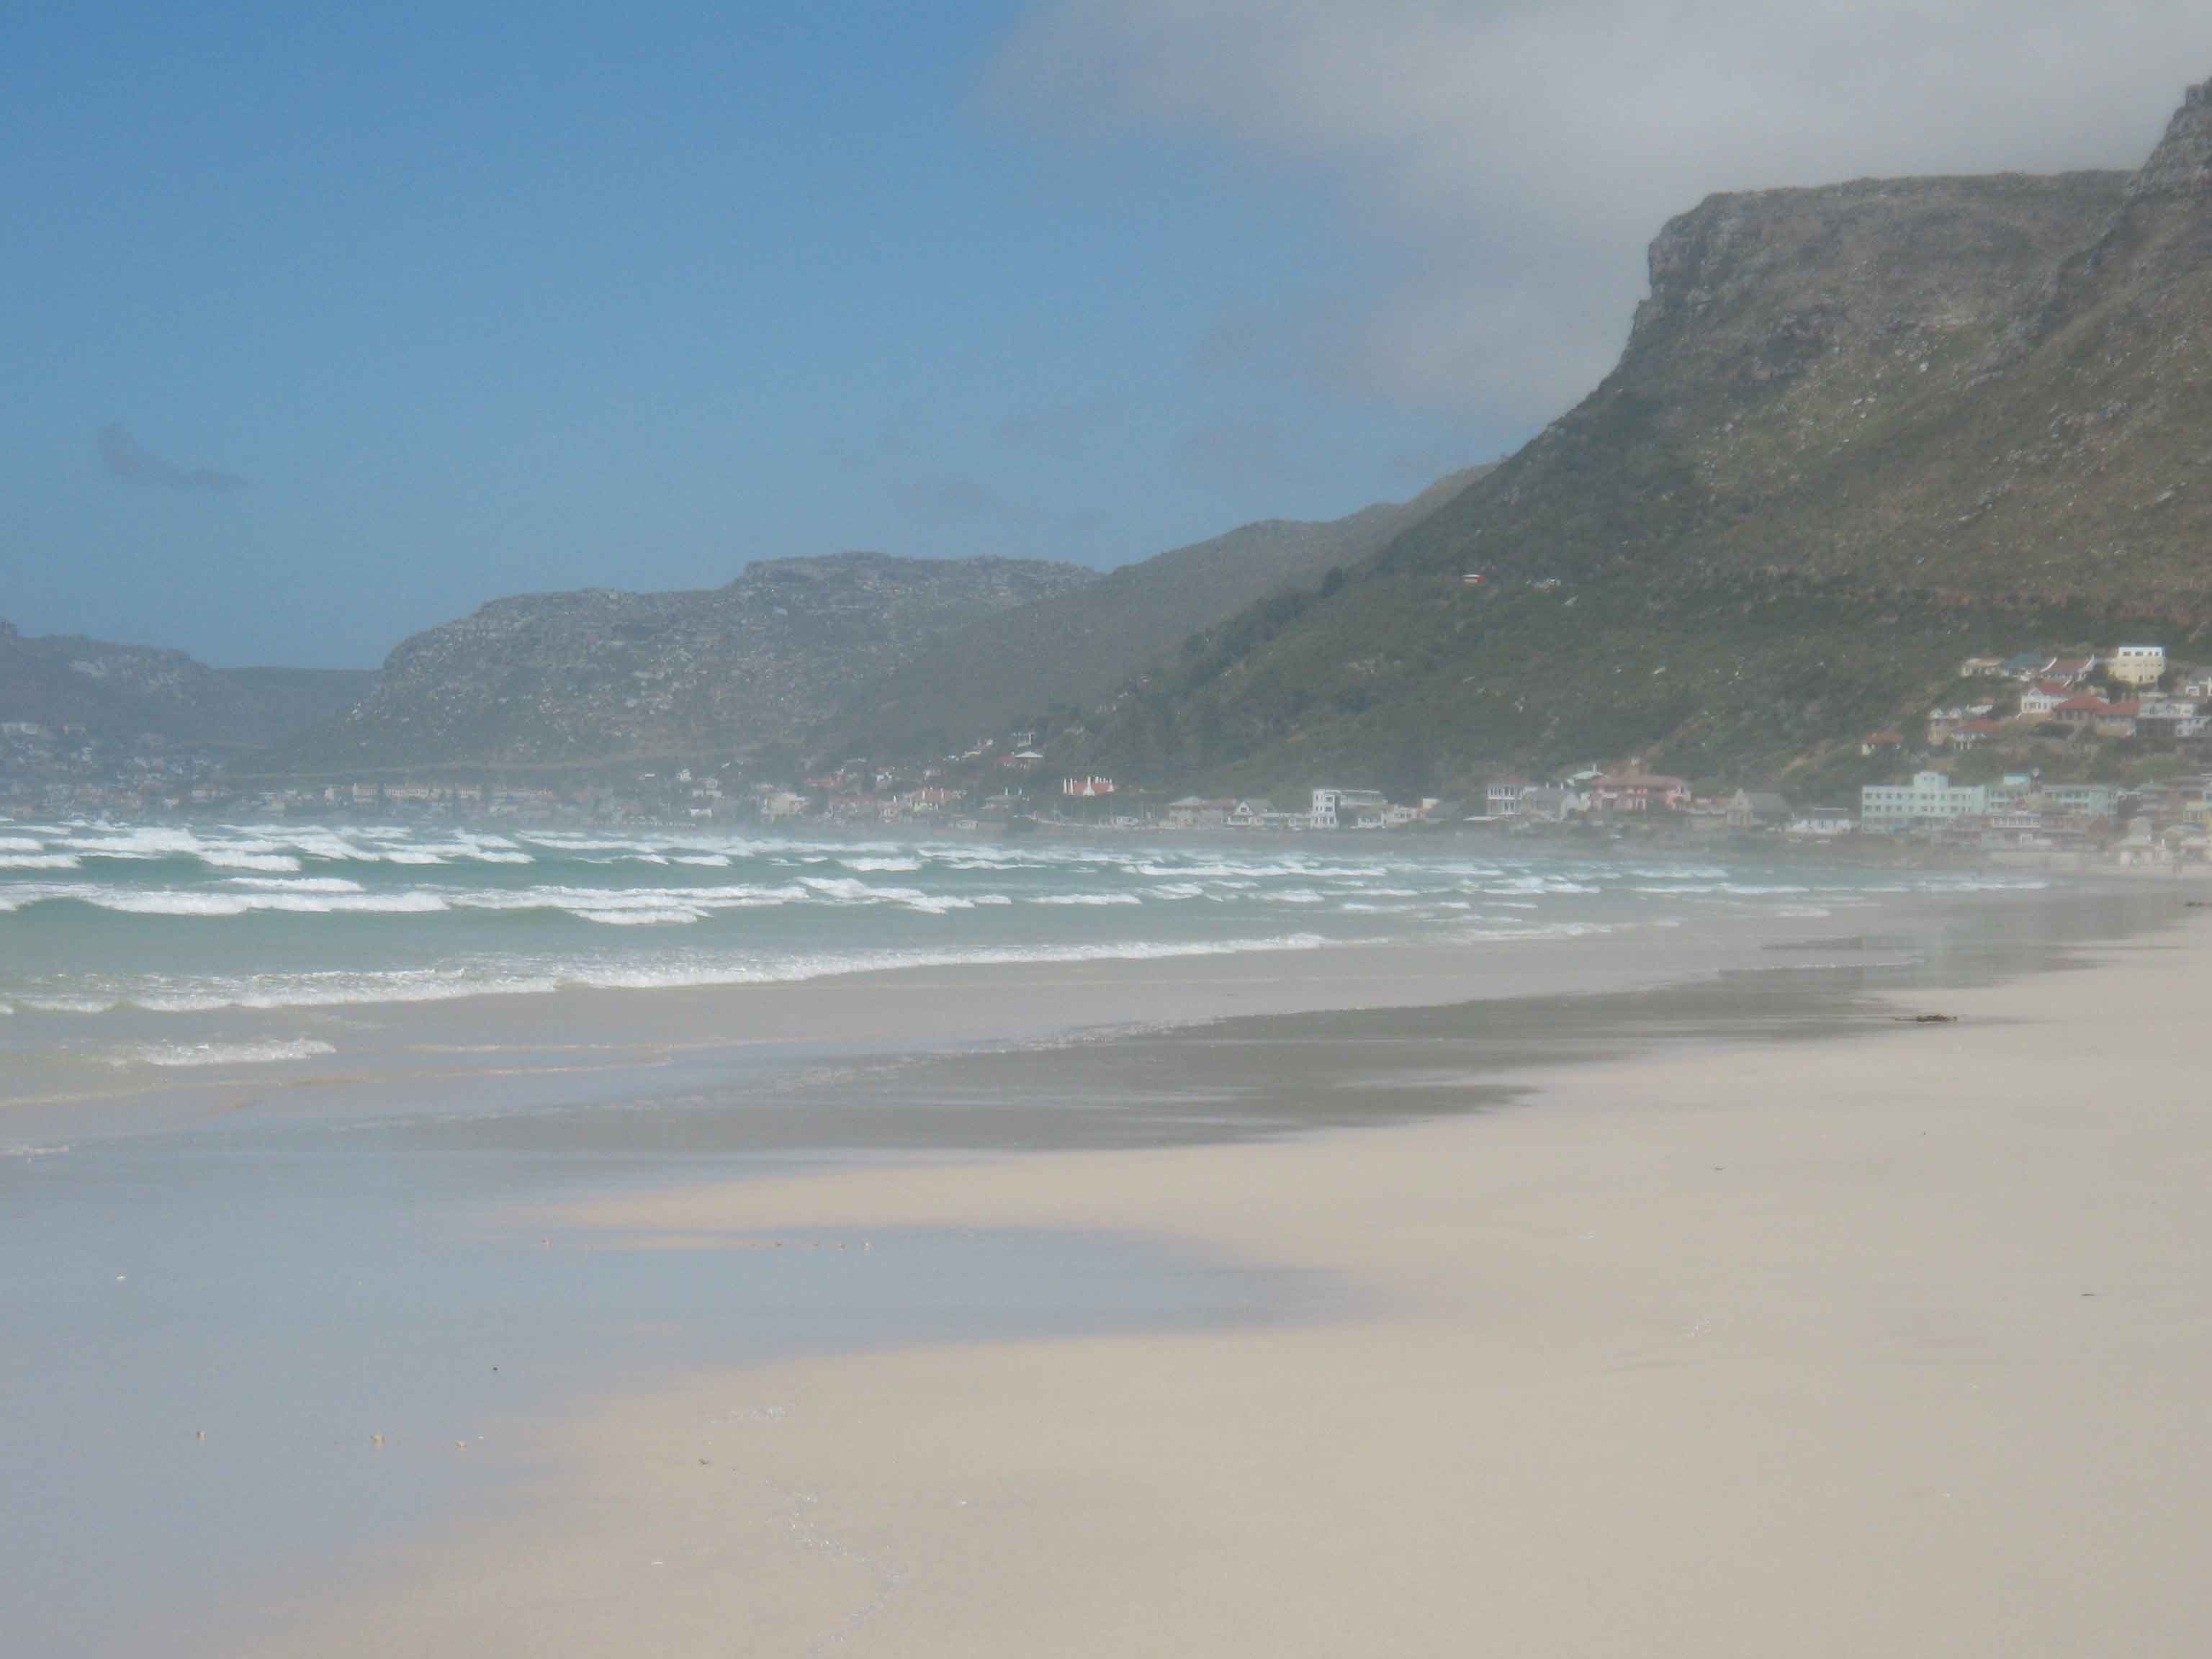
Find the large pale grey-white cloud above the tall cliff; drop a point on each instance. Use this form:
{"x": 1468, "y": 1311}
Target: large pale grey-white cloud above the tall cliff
{"x": 1507, "y": 160}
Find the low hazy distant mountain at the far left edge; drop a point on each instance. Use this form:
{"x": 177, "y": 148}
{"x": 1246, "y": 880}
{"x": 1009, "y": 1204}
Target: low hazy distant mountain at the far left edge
{"x": 123, "y": 693}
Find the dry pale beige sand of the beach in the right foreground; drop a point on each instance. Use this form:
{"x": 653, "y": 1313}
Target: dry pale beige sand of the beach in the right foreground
{"x": 1877, "y": 1346}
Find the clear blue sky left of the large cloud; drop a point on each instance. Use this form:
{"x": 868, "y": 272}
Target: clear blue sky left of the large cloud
{"x": 393, "y": 313}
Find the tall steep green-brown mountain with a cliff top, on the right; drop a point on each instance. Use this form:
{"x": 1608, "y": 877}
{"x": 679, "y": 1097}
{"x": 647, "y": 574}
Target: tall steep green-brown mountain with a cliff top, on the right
{"x": 1857, "y": 432}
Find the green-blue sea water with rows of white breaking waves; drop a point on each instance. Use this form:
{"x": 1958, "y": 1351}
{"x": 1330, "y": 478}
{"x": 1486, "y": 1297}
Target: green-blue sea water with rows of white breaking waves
{"x": 98, "y": 919}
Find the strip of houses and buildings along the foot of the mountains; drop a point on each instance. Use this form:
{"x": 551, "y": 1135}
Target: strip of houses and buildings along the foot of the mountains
{"x": 2098, "y": 755}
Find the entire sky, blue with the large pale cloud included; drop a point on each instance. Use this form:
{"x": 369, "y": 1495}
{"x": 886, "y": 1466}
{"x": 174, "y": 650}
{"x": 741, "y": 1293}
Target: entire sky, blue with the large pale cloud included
{"x": 324, "y": 328}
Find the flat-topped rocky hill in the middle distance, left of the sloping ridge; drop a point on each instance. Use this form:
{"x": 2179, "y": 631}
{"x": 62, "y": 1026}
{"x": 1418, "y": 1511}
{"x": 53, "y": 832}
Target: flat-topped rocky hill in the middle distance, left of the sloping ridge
{"x": 601, "y": 676}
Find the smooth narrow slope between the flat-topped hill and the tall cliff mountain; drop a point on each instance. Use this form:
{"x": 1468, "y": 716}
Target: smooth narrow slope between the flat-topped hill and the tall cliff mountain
{"x": 1083, "y": 645}
